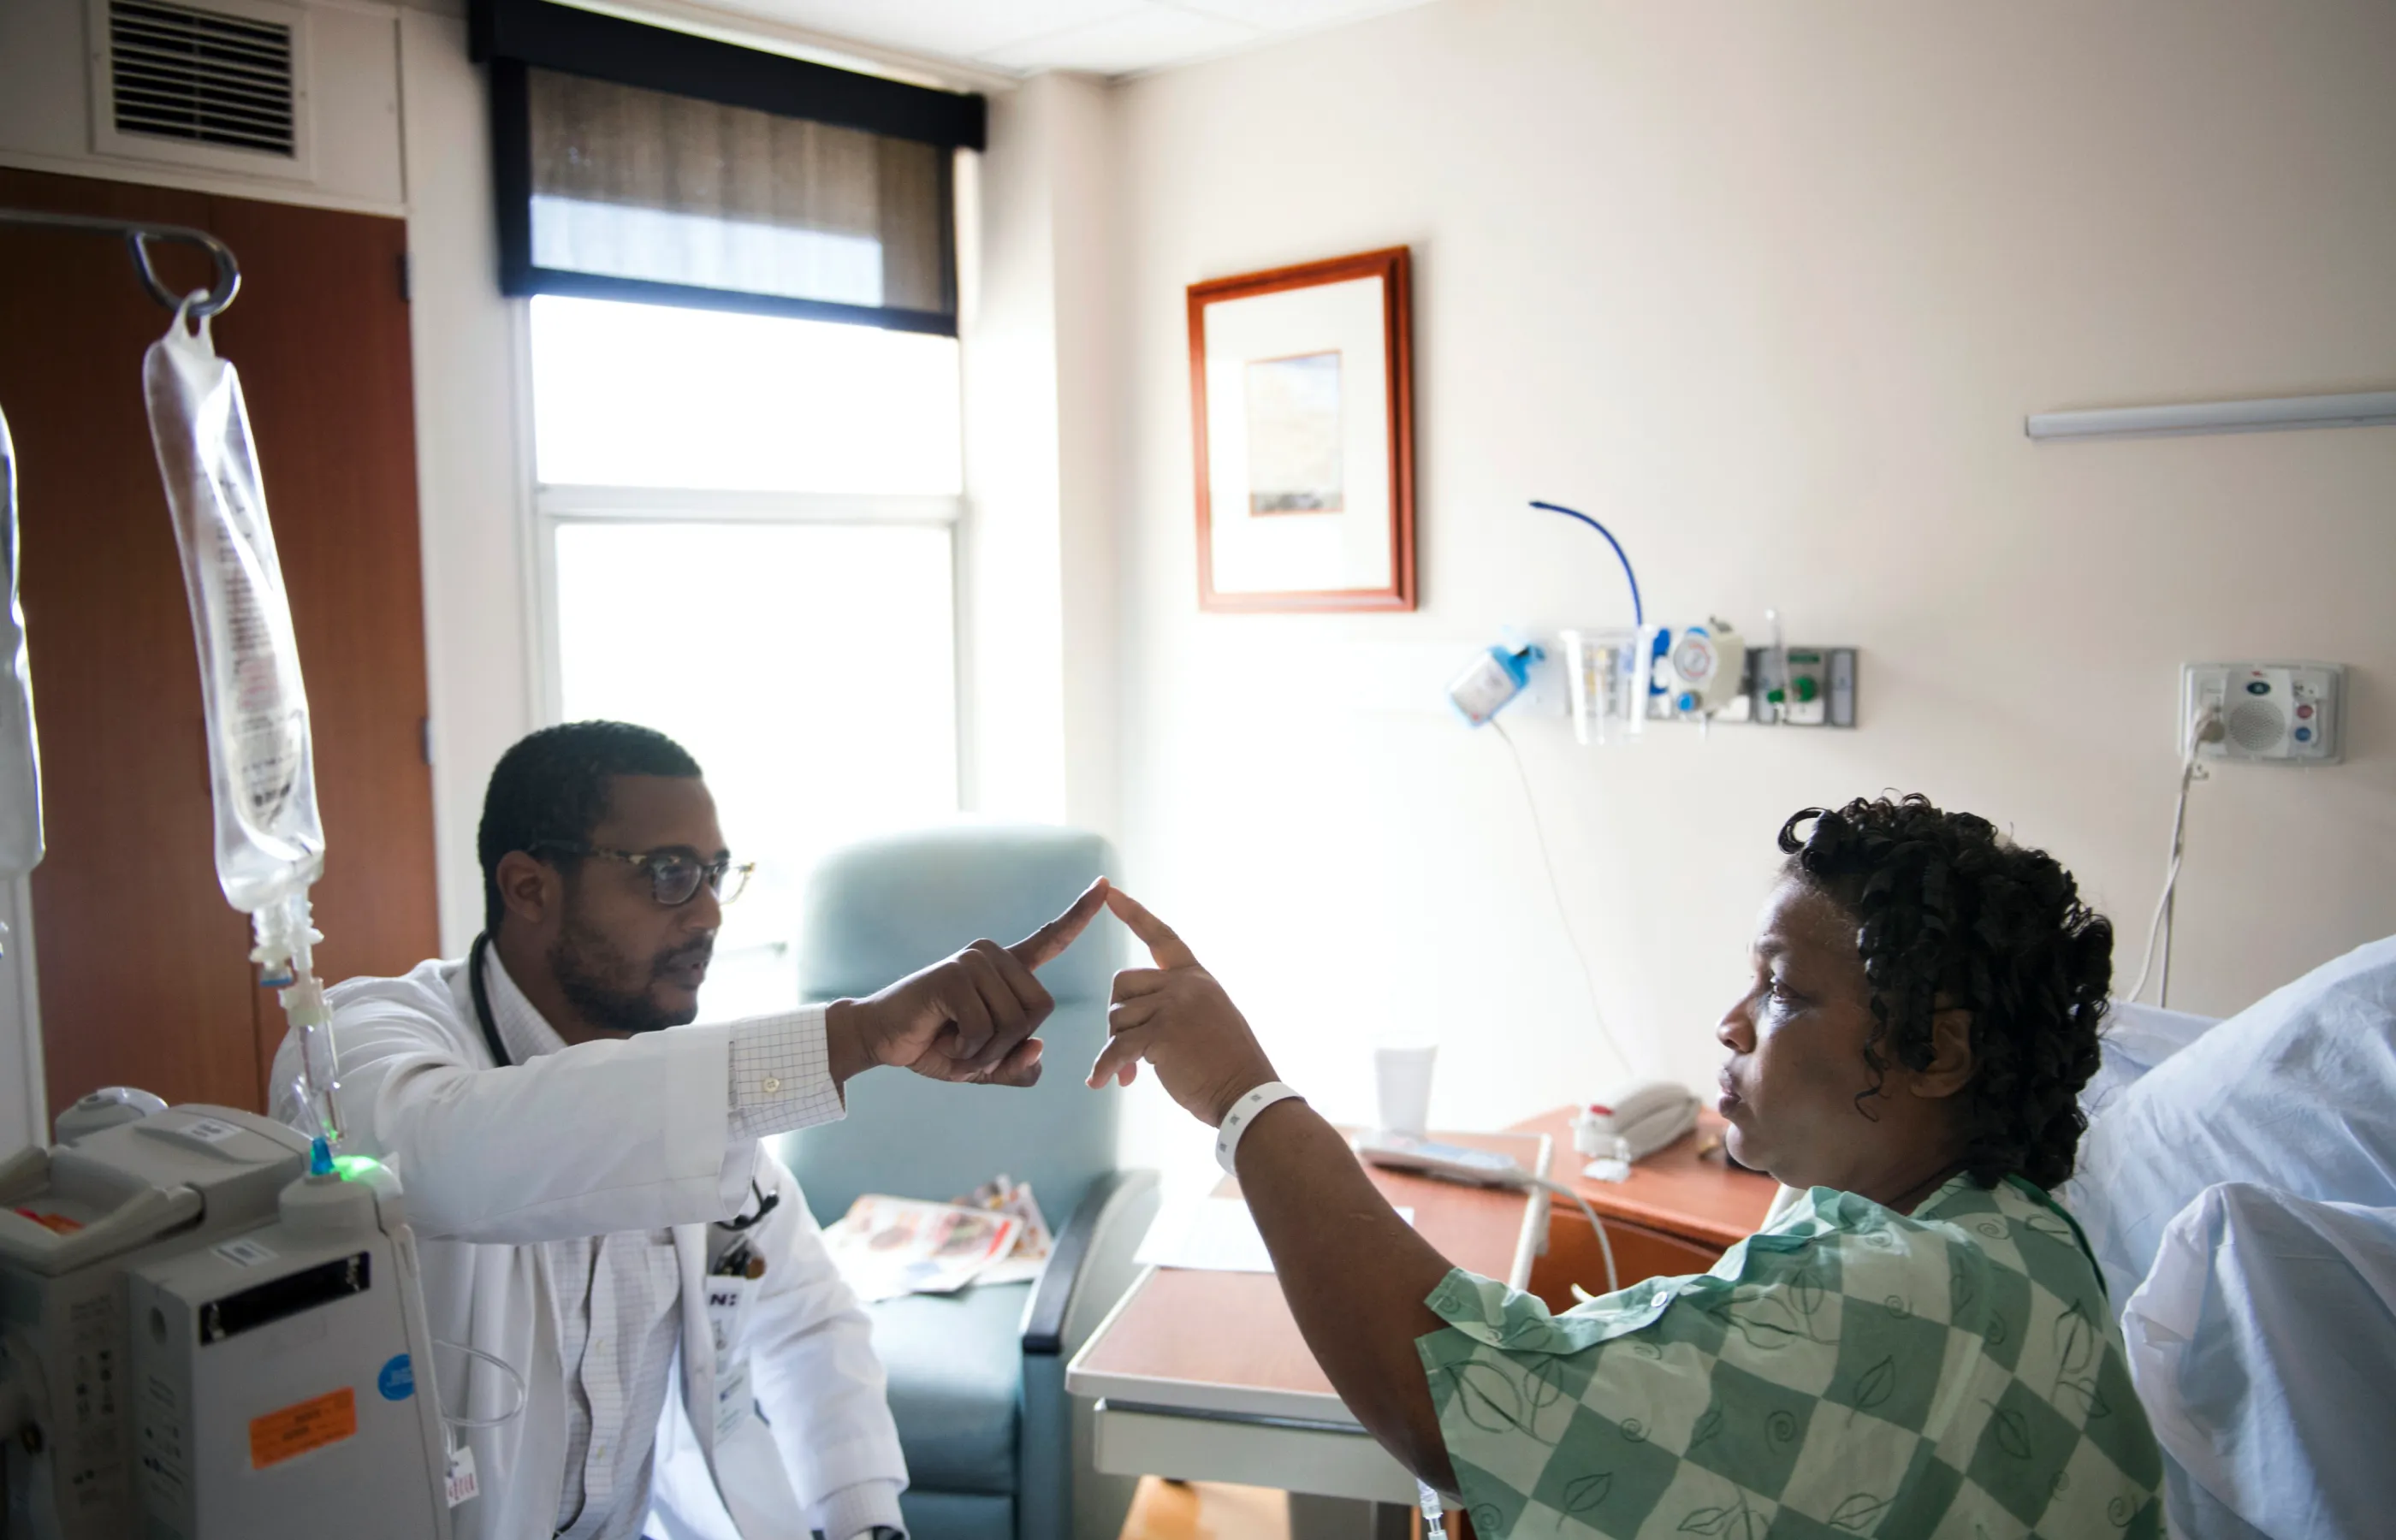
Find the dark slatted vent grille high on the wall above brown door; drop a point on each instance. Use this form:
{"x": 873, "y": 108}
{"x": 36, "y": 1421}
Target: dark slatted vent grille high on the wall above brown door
{"x": 202, "y": 75}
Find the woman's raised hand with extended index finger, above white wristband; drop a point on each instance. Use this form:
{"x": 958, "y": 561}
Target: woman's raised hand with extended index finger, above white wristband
{"x": 1178, "y": 1019}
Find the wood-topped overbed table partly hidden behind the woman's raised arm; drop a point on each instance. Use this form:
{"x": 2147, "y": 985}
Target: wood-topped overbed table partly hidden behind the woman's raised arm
{"x": 1204, "y": 1376}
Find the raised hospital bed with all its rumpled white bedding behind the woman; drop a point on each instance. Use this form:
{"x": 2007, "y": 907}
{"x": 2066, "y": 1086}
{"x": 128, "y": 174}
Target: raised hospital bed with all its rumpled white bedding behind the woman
{"x": 2239, "y": 1189}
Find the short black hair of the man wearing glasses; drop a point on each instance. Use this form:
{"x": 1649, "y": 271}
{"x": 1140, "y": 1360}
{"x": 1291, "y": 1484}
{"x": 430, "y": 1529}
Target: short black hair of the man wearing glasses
{"x": 555, "y": 784}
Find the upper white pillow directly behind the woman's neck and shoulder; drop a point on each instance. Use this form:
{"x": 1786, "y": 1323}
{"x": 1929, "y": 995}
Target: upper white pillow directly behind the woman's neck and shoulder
{"x": 2294, "y": 1093}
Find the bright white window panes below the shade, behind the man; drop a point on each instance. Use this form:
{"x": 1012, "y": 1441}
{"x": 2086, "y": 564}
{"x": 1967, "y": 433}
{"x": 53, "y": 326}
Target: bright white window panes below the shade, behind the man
{"x": 749, "y": 542}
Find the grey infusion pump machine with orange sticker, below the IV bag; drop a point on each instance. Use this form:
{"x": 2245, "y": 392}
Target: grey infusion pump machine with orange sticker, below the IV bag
{"x": 202, "y": 1340}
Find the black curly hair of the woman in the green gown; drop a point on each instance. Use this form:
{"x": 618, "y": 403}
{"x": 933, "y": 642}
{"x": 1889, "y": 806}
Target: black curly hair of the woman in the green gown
{"x": 1949, "y": 911}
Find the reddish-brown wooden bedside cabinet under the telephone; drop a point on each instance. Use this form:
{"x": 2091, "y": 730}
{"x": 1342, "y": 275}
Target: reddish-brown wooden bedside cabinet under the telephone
{"x": 1676, "y": 1213}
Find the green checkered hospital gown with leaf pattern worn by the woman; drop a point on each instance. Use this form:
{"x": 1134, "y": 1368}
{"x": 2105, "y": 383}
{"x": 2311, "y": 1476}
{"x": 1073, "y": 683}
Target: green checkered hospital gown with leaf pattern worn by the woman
{"x": 1851, "y": 1371}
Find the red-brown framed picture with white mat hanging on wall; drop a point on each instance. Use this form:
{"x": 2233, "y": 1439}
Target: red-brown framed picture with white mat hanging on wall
{"x": 1302, "y": 396}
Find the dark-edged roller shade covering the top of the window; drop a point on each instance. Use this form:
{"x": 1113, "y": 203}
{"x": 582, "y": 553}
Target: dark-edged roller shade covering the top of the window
{"x": 739, "y": 198}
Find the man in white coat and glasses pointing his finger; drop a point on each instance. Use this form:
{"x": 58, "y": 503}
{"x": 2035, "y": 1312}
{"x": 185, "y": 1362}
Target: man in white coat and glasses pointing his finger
{"x": 591, "y": 1192}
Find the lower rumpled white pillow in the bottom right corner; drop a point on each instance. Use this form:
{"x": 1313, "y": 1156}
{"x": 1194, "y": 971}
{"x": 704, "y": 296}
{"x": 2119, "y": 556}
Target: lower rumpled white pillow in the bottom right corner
{"x": 2261, "y": 1347}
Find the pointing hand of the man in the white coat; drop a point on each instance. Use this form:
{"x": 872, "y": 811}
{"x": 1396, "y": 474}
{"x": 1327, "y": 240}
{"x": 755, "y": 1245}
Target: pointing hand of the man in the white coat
{"x": 962, "y": 1019}
